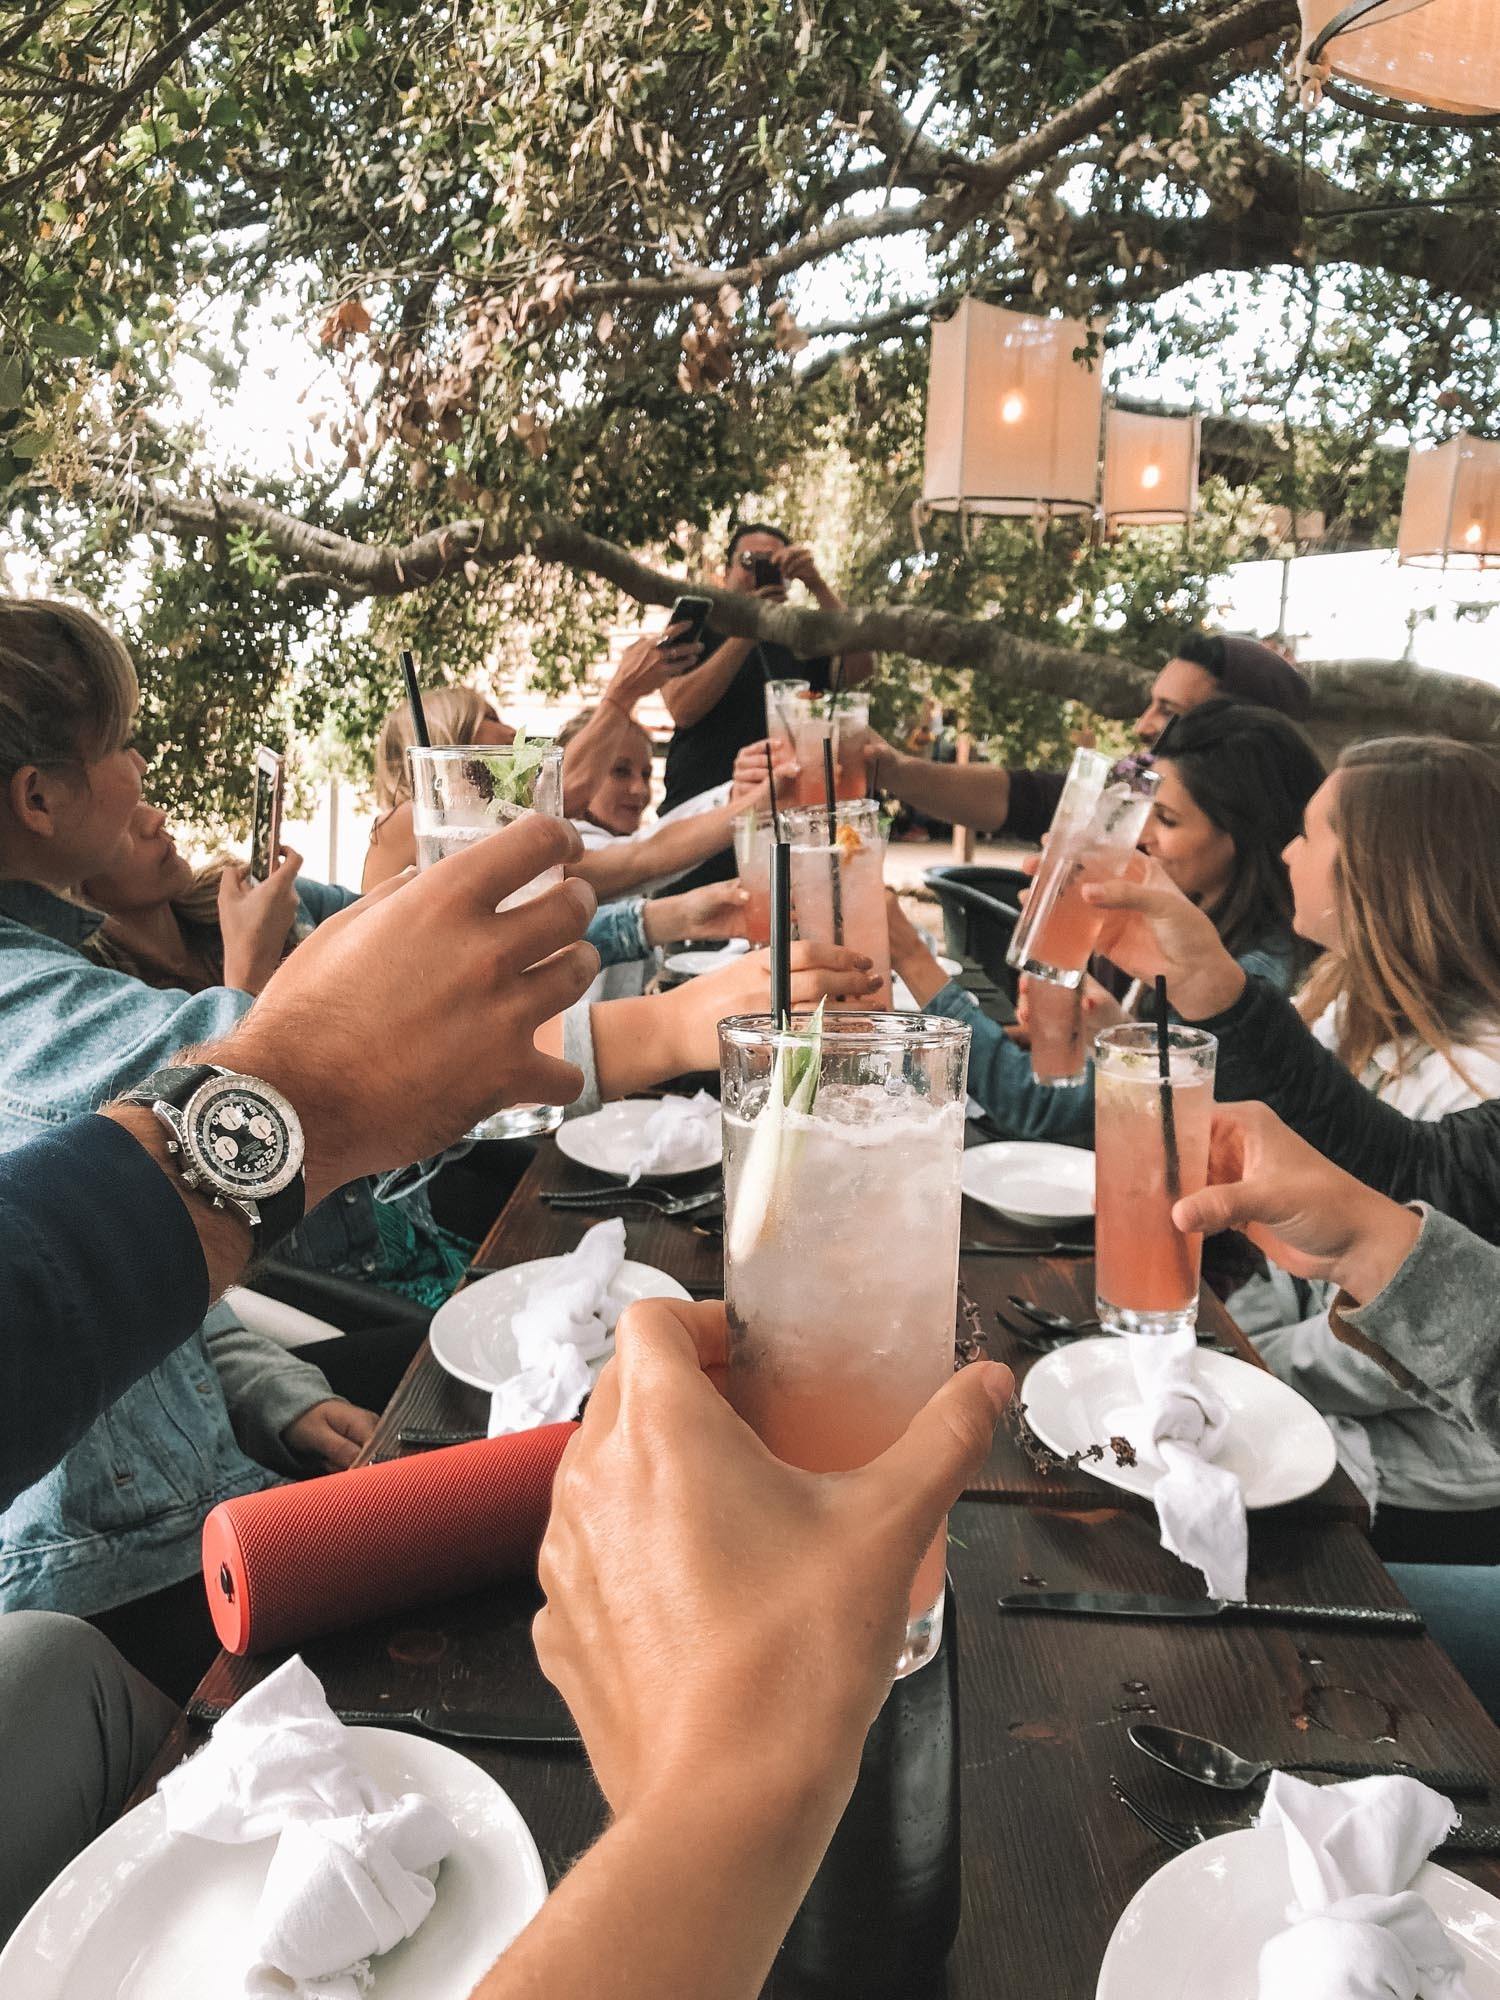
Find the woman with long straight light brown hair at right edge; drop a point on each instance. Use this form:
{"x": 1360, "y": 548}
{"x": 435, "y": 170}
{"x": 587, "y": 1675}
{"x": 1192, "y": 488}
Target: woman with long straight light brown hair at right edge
{"x": 1399, "y": 877}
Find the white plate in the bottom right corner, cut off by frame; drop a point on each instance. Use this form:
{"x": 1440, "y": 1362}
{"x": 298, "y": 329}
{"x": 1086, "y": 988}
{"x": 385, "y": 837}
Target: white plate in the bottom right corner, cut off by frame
{"x": 1195, "y": 1931}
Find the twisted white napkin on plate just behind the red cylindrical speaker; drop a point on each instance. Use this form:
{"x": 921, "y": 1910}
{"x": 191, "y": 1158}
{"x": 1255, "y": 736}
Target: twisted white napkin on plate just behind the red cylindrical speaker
{"x": 563, "y": 1327}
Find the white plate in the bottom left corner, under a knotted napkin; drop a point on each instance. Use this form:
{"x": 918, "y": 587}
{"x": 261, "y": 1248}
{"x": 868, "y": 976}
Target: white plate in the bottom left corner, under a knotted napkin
{"x": 141, "y": 1917}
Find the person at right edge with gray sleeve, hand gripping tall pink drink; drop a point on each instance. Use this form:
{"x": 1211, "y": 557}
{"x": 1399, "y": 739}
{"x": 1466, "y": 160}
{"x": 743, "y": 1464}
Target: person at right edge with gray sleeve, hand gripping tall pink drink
{"x": 1413, "y": 1295}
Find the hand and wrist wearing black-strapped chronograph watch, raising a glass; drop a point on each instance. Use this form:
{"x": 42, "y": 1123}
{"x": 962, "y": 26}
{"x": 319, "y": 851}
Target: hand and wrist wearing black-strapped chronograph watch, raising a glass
{"x": 427, "y": 973}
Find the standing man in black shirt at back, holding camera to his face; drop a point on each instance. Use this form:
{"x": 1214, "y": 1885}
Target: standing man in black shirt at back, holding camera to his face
{"x": 721, "y": 705}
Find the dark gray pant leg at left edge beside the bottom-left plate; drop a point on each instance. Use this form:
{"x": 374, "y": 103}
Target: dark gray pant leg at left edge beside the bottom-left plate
{"x": 77, "y": 1735}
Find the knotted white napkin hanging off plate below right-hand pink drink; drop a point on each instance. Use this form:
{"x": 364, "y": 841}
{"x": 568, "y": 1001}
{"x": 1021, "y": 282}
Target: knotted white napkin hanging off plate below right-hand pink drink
{"x": 1179, "y": 1425}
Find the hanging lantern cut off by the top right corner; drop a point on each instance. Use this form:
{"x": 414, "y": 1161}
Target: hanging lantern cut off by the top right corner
{"x": 1437, "y": 53}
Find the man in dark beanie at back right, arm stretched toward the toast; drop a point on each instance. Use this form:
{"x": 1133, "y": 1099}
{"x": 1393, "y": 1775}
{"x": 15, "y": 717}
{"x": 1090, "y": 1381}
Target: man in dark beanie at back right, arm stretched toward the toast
{"x": 1203, "y": 669}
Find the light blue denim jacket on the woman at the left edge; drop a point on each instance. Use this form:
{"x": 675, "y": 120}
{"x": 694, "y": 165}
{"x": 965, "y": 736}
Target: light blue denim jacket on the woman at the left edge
{"x": 123, "y": 1513}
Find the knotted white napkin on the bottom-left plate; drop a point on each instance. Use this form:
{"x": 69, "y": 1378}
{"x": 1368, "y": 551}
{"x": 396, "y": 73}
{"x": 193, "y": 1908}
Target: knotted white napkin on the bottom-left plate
{"x": 353, "y": 1871}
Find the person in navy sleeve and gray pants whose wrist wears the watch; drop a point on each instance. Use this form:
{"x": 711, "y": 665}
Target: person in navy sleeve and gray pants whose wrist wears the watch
{"x": 107, "y": 1263}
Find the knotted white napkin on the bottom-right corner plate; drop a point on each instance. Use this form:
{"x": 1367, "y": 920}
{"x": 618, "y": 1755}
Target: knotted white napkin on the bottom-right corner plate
{"x": 1357, "y": 1929}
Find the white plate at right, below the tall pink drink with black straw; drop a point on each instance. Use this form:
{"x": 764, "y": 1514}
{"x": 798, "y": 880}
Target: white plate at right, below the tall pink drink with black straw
{"x": 1277, "y": 1445}
